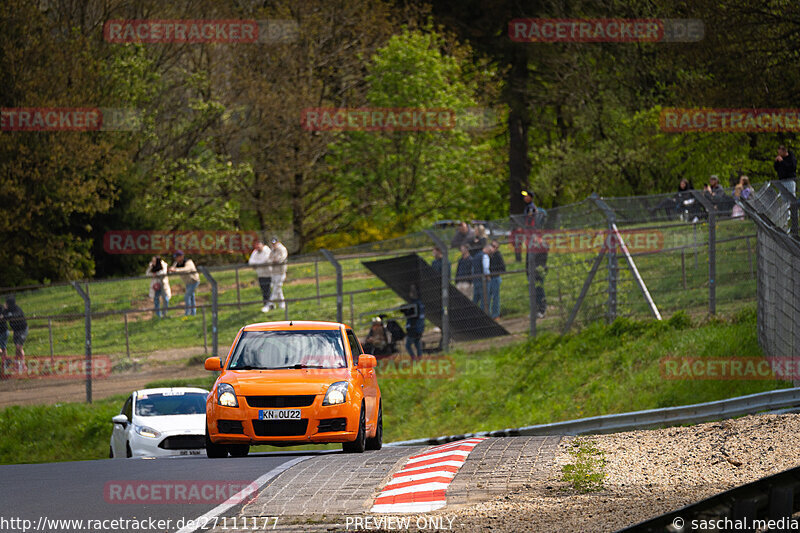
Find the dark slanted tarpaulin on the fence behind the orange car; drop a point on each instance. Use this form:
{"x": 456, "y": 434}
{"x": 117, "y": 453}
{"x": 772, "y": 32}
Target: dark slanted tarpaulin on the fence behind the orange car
{"x": 467, "y": 320}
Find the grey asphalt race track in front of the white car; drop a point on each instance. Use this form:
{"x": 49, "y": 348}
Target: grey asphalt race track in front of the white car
{"x": 82, "y": 490}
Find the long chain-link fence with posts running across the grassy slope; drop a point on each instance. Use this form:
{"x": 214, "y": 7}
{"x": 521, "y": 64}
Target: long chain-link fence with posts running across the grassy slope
{"x": 598, "y": 259}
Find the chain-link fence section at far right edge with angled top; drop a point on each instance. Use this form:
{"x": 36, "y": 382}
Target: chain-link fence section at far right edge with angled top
{"x": 774, "y": 210}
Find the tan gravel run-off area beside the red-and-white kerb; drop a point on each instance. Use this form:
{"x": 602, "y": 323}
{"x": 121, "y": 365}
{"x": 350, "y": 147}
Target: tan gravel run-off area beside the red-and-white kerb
{"x": 649, "y": 472}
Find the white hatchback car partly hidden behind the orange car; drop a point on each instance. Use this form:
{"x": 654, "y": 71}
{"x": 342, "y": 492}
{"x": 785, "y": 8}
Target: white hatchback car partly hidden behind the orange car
{"x": 160, "y": 422}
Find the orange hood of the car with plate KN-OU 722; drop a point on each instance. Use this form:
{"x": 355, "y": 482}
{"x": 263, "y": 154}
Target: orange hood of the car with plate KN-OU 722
{"x": 288, "y": 381}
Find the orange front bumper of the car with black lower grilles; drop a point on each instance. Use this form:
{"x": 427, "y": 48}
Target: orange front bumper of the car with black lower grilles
{"x": 318, "y": 424}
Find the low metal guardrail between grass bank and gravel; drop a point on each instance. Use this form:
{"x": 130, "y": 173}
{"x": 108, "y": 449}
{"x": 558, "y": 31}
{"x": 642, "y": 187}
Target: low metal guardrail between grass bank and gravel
{"x": 667, "y": 416}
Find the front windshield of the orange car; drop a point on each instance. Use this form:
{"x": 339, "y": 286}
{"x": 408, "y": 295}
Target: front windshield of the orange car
{"x": 268, "y": 350}
